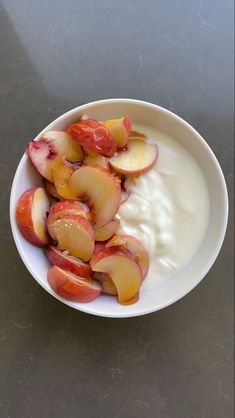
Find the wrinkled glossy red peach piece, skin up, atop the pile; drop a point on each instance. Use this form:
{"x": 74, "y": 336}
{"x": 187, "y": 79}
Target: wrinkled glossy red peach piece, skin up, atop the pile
{"x": 93, "y": 135}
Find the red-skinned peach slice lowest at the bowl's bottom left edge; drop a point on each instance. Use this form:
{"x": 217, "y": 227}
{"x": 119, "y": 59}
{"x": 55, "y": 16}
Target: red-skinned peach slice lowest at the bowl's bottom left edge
{"x": 72, "y": 287}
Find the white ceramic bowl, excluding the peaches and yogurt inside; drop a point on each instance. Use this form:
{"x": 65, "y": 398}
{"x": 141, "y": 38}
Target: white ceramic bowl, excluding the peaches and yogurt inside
{"x": 179, "y": 285}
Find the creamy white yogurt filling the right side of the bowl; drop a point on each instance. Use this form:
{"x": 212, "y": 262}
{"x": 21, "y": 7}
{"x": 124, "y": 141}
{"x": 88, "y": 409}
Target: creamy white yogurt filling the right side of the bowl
{"x": 168, "y": 208}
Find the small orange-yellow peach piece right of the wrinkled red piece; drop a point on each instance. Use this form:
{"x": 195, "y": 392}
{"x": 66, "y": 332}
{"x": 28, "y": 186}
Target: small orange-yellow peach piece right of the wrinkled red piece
{"x": 119, "y": 129}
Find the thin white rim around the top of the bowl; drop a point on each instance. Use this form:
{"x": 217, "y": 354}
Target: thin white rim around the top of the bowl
{"x": 87, "y": 308}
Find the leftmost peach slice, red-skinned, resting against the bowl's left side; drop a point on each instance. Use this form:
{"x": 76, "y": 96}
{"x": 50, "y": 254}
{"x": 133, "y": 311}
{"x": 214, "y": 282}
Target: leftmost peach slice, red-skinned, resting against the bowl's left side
{"x": 31, "y": 214}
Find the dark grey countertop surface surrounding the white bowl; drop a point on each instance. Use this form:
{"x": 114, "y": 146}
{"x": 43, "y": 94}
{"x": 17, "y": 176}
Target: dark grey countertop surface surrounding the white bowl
{"x": 57, "y": 362}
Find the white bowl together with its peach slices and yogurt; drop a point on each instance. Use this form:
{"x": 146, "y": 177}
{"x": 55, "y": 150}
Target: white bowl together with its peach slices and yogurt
{"x": 131, "y": 211}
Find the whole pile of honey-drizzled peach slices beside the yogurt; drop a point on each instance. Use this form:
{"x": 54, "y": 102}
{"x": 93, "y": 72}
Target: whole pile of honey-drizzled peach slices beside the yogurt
{"x": 84, "y": 171}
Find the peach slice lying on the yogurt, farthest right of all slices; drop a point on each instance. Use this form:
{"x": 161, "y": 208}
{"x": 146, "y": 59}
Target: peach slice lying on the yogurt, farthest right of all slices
{"x": 139, "y": 158}
